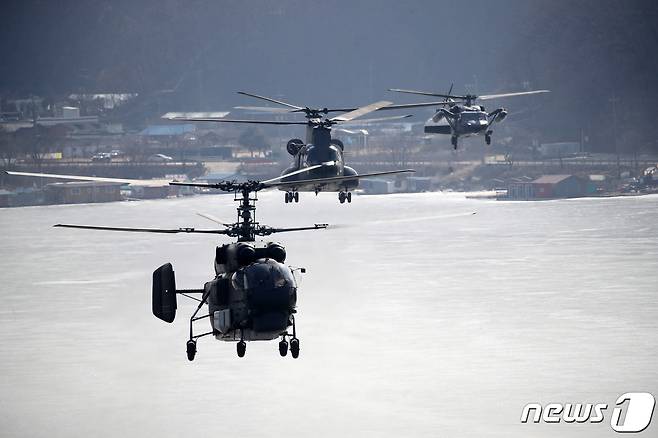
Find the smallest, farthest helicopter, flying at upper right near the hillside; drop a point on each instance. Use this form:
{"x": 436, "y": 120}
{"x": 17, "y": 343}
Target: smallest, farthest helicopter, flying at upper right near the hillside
{"x": 463, "y": 118}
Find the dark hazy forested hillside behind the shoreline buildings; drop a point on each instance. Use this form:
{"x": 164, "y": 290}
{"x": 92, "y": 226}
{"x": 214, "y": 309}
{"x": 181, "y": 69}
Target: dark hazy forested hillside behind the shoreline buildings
{"x": 332, "y": 52}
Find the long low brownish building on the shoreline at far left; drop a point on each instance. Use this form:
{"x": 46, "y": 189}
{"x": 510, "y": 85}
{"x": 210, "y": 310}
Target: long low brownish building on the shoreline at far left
{"x": 80, "y": 192}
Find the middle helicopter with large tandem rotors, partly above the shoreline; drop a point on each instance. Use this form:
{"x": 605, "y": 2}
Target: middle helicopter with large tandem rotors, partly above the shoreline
{"x": 319, "y": 162}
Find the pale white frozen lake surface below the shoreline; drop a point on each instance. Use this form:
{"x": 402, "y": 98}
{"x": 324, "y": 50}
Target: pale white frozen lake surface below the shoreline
{"x": 416, "y": 318}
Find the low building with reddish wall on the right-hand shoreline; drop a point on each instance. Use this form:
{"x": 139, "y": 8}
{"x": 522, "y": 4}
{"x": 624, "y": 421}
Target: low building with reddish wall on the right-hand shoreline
{"x": 547, "y": 187}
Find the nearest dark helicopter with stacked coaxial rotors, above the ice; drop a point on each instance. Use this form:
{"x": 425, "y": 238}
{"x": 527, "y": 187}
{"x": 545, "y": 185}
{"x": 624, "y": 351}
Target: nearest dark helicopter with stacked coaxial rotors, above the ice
{"x": 253, "y": 296}
